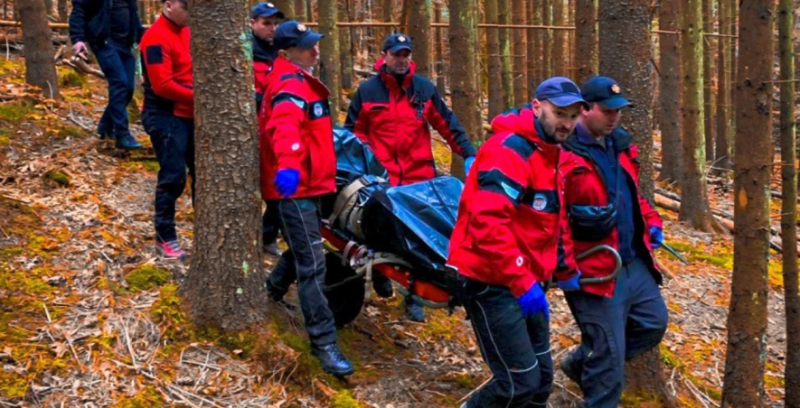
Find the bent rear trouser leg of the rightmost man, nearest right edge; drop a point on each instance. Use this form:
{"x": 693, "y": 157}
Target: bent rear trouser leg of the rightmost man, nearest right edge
{"x": 648, "y": 316}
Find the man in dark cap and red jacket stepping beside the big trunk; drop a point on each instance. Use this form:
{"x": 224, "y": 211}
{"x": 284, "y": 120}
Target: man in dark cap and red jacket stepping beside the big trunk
{"x": 298, "y": 165}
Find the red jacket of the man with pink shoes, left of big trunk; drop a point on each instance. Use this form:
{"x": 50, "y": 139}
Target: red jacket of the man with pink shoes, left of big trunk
{"x": 167, "y": 69}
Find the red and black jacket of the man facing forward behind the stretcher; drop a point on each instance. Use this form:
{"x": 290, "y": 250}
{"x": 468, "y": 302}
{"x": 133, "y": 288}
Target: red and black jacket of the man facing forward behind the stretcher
{"x": 393, "y": 121}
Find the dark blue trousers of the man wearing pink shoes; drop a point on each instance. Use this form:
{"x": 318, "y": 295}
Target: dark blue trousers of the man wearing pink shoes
{"x": 173, "y": 142}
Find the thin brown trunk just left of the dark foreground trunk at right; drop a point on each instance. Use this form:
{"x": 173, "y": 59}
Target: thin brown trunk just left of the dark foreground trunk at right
{"x": 722, "y": 157}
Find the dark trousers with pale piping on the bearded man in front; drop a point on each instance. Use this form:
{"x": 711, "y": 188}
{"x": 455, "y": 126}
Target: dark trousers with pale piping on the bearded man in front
{"x": 516, "y": 349}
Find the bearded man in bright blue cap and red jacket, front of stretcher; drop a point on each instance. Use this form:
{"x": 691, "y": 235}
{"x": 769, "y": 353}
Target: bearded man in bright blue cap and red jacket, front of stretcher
{"x": 507, "y": 244}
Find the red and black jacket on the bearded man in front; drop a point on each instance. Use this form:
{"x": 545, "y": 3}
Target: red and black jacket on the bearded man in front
{"x": 510, "y": 216}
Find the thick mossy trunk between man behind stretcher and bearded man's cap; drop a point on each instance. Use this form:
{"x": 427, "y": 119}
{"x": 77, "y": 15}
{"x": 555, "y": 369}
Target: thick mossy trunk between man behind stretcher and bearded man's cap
{"x": 465, "y": 95}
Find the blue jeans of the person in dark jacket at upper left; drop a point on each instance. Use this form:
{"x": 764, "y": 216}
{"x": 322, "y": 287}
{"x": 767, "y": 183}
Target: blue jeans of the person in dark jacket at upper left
{"x": 118, "y": 65}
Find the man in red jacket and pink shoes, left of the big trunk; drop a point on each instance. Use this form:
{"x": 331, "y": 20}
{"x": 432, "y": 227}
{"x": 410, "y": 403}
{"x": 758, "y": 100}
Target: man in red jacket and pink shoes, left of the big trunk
{"x": 168, "y": 115}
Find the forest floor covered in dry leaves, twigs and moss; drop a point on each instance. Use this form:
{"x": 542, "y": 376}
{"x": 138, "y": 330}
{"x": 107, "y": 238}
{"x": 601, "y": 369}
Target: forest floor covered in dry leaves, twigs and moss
{"x": 89, "y": 314}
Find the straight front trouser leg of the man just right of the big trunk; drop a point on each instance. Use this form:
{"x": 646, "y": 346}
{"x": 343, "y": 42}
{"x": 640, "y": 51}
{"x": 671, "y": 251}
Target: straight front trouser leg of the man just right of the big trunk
{"x": 301, "y": 221}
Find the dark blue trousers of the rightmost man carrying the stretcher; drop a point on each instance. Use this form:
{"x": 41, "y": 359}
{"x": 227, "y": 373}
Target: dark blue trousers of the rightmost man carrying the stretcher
{"x": 614, "y": 330}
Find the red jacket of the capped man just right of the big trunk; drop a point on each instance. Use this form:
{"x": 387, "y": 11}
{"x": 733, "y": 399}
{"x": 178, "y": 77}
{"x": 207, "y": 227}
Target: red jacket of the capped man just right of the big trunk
{"x": 296, "y": 132}
